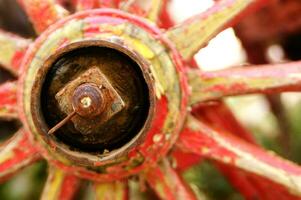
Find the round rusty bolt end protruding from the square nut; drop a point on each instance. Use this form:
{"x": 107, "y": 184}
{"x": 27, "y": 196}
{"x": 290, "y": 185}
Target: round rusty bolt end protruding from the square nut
{"x": 88, "y": 101}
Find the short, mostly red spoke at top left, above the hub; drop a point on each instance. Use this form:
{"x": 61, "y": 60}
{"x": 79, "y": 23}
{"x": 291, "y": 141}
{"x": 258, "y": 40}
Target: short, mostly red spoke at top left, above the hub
{"x": 43, "y": 13}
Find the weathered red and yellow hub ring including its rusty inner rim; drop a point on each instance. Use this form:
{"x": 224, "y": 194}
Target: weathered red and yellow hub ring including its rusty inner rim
{"x": 167, "y": 87}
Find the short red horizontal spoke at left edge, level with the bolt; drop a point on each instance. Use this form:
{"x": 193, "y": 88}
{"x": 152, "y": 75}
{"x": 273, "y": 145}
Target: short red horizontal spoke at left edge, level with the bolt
{"x": 8, "y": 100}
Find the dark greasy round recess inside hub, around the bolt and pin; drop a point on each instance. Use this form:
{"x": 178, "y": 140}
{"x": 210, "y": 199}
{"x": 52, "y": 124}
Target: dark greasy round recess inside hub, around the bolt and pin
{"x": 121, "y": 74}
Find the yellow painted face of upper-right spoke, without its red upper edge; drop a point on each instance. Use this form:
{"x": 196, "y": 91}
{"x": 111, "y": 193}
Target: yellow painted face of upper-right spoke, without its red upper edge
{"x": 190, "y": 36}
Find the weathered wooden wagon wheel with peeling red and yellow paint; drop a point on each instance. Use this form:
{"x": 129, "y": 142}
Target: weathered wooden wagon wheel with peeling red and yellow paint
{"x": 105, "y": 94}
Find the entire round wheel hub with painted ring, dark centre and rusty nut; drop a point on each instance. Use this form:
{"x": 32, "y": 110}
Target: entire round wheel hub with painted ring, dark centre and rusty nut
{"x": 118, "y": 83}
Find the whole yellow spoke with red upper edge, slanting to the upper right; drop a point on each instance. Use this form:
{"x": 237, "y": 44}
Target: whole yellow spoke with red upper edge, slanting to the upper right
{"x": 196, "y": 32}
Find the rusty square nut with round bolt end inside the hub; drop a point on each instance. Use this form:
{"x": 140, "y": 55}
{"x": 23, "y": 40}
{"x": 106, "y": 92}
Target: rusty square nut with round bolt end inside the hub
{"x": 106, "y": 102}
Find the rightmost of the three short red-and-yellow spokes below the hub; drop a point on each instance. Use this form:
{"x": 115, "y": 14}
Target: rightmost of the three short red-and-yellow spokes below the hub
{"x": 168, "y": 184}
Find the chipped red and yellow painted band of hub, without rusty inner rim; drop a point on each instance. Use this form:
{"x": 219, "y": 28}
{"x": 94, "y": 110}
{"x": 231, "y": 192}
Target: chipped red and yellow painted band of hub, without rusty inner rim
{"x": 144, "y": 42}
